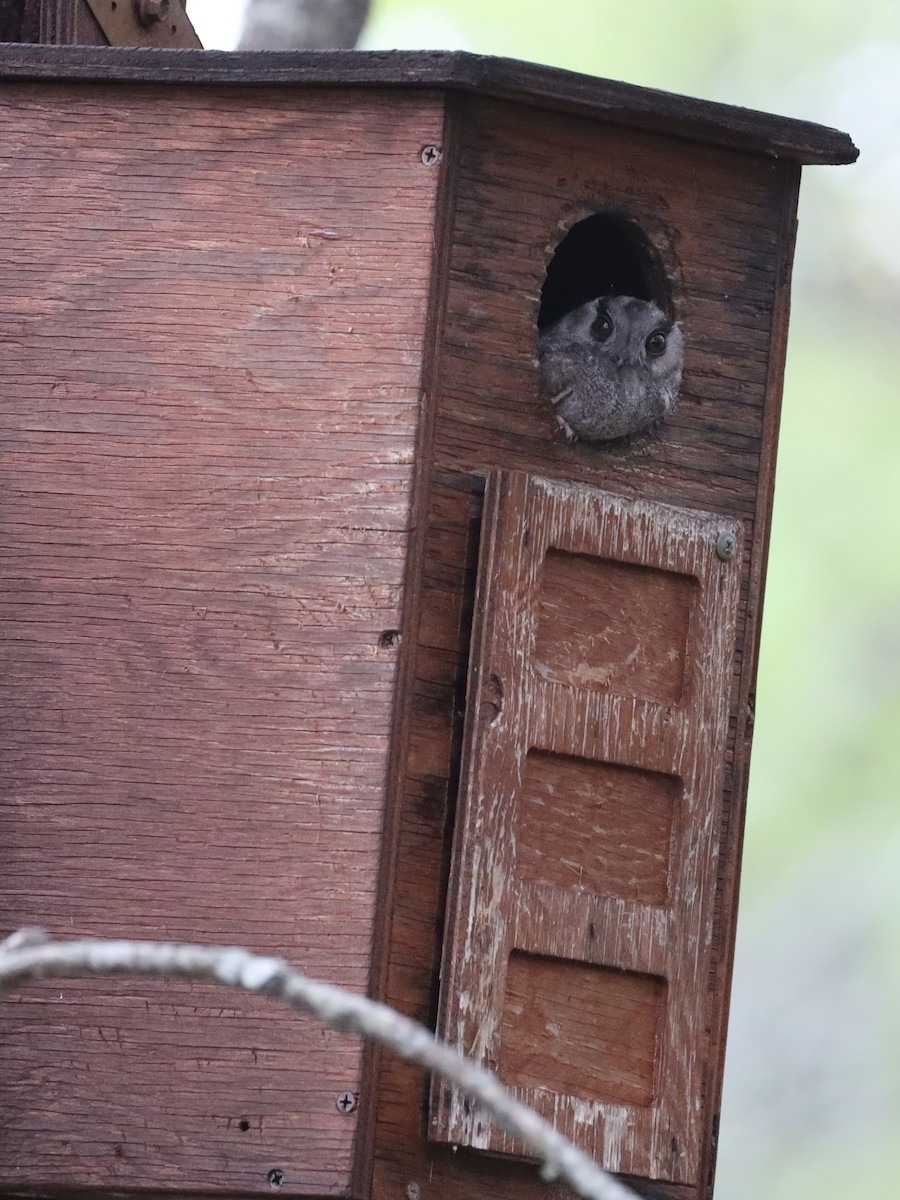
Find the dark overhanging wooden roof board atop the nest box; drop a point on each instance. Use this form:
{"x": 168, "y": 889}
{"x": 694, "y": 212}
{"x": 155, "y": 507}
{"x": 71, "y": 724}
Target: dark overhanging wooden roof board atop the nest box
{"x": 698, "y": 121}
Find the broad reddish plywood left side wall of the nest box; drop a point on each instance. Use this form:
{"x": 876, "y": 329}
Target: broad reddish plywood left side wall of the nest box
{"x": 213, "y": 317}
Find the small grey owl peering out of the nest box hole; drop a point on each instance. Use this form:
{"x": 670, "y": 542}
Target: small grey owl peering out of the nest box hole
{"x": 611, "y": 368}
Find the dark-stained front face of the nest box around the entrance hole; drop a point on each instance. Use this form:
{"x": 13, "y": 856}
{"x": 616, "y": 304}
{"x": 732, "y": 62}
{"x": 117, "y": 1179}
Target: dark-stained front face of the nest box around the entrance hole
{"x": 723, "y": 226}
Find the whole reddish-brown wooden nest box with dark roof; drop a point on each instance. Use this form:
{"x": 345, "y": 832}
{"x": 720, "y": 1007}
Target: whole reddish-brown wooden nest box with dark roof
{"x": 321, "y": 639}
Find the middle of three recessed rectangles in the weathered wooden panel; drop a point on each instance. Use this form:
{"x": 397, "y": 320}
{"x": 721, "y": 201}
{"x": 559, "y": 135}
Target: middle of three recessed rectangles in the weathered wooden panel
{"x": 596, "y": 827}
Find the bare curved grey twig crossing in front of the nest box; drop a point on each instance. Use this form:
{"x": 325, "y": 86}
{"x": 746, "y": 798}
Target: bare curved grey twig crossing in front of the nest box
{"x": 31, "y": 955}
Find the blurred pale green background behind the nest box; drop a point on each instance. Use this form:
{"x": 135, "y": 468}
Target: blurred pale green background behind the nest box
{"x": 813, "y": 1073}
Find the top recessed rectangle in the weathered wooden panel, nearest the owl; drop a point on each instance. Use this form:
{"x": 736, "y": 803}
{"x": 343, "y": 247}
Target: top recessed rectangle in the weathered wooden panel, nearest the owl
{"x": 615, "y": 627}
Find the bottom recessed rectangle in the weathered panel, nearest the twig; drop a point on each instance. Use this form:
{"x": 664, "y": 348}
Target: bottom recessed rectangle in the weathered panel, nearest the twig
{"x": 580, "y": 1030}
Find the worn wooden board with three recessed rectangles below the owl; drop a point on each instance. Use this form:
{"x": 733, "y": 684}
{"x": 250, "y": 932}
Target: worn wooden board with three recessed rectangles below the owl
{"x": 584, "y": 880}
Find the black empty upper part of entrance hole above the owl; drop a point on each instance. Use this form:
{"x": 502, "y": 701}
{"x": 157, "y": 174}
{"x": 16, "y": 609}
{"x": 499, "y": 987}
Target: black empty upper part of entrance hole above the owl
{"x": 604, "y": 255}
